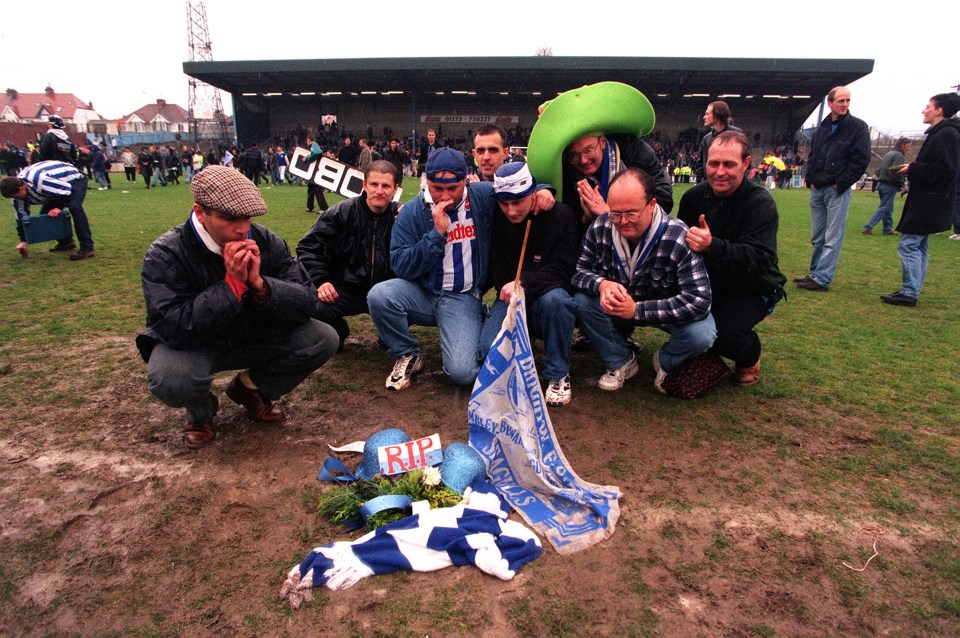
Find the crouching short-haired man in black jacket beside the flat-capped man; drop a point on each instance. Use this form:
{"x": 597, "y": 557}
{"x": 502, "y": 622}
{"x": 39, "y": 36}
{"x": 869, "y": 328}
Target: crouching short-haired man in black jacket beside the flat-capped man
{"x": 347, "y": 251}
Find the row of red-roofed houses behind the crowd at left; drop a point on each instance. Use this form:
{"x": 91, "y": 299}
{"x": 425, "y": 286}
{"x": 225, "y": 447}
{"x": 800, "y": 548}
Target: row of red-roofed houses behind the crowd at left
{"x": 159, "y": 120}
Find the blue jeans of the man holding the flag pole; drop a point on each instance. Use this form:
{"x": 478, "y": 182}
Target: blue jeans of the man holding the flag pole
{"x": 550, "y": 317}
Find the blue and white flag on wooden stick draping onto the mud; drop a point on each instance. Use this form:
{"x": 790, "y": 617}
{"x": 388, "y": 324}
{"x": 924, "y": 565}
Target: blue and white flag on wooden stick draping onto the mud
{"x": 511, "y": 429}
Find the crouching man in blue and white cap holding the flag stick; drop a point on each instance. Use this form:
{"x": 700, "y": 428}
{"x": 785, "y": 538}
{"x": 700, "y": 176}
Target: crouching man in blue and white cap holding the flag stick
{"x": 549, "y": 263}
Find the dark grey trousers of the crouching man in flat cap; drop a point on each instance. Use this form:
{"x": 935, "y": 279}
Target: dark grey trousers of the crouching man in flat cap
{"x": 279, "y": 360}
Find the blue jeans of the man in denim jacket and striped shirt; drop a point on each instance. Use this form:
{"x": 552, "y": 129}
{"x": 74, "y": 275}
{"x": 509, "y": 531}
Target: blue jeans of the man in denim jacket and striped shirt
{"x": 397, "y": 304}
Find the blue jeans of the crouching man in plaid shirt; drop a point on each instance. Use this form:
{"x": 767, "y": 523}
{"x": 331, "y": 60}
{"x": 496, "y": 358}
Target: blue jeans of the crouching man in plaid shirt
{"x": 608, "y": 335}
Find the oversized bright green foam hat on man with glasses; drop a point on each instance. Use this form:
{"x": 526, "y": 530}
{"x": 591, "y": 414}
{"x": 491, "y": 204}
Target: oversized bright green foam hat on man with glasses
{"x": 604, "y": 108}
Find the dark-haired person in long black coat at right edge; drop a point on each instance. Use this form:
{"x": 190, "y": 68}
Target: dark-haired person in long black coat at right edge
{"x": 929, "y": 205}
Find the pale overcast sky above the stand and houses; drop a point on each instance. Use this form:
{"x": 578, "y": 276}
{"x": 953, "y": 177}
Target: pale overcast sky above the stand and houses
{"x": 122, "y": 54}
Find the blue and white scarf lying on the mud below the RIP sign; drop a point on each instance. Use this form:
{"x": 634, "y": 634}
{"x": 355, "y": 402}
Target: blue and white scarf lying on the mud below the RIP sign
{"x": 475, "y": 532}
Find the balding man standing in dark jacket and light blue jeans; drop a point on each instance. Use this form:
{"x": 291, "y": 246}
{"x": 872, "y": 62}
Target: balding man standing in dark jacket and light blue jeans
{"x": 839, "y": 156}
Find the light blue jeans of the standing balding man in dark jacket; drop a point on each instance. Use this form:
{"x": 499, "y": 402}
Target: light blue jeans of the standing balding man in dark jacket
{"x": 828, "y": 221}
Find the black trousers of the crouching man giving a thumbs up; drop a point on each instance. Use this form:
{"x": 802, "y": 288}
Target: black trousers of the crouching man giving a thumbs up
{"x": 736, "y": 316}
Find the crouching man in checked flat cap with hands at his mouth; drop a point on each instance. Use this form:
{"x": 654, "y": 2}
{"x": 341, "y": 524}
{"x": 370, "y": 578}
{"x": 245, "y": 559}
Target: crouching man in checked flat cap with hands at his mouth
{"x": 223, "y": 293}
